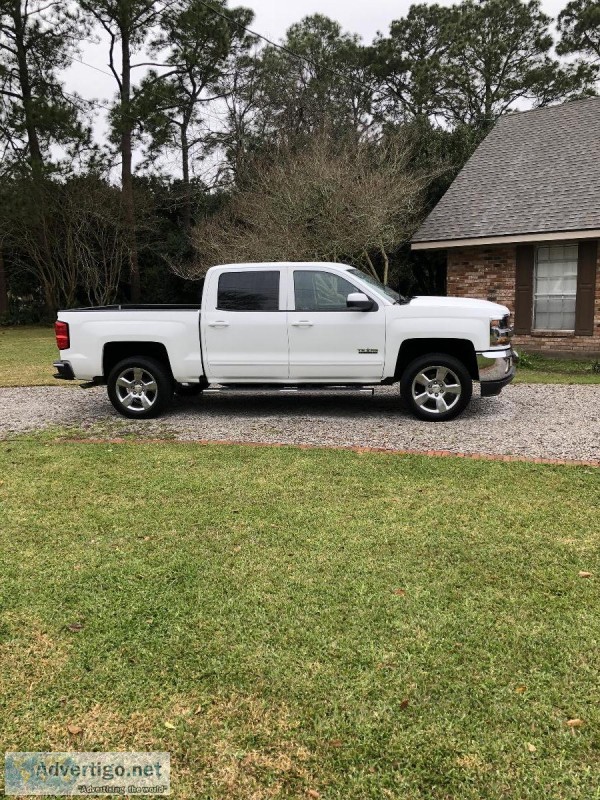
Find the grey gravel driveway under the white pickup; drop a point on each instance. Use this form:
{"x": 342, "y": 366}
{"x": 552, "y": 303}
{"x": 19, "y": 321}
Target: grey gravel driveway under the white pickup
{"x": 534, "y": 420}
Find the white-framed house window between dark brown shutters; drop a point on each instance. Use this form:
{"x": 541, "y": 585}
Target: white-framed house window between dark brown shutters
{"x": 555, "y": 287}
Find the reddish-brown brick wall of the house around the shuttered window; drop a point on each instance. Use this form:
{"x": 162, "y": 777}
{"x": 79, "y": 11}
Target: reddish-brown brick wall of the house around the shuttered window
{"x": 489, "y": 273}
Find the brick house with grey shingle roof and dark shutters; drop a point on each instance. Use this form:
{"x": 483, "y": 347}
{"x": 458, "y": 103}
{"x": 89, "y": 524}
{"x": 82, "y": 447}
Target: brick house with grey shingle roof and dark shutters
{"x": 521, "y": 225}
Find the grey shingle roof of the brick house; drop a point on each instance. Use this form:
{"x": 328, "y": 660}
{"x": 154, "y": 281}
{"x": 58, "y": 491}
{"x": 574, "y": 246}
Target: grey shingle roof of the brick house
{"x": 537, "y": 171}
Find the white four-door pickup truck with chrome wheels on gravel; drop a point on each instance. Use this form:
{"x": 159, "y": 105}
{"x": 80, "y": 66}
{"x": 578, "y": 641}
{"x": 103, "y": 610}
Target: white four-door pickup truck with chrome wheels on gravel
{"x": 289, "y": 326}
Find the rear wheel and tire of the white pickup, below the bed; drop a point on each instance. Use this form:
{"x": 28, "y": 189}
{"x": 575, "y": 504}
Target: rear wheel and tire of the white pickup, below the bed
{"x": 140, "y": 387}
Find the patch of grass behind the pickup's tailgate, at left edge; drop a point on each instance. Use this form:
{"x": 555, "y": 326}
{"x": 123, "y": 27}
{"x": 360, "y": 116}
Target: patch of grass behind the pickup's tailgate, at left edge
{"x": 26, "y": 356}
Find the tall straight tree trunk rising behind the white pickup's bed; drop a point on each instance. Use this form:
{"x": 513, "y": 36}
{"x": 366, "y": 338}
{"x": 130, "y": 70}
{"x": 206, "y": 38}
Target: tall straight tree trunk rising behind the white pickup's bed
{"x": 126, "y": 174}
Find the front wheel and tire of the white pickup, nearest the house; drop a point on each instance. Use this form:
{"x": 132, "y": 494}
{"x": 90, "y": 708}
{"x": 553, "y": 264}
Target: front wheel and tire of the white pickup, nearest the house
{"x": 436, "y": 387}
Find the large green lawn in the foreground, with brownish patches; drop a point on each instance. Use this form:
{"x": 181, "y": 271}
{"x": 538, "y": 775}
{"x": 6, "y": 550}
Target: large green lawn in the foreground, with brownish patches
{"x": 293, "y": 624}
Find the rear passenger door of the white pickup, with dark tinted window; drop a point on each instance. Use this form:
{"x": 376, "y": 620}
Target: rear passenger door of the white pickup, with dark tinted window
{"x": 244, "y": 326}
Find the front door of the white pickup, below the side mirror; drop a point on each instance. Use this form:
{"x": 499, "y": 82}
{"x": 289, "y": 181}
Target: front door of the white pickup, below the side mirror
{"x": 329, "y": 342}
